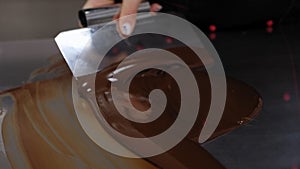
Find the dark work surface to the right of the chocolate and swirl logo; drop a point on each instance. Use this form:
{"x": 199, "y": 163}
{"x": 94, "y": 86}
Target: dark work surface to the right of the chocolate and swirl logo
{"x": 270, "y": 62}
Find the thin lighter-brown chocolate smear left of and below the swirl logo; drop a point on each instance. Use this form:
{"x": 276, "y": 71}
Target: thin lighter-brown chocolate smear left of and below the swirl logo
{"x": 43, "y": 132}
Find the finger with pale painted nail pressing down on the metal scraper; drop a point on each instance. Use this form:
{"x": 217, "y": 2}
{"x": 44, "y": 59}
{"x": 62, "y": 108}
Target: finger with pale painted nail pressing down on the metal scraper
{"x": 127, "y": 23}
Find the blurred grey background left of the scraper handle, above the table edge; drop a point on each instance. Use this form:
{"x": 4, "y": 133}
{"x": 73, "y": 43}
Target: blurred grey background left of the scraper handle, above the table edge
{"x": 36, "y": 19}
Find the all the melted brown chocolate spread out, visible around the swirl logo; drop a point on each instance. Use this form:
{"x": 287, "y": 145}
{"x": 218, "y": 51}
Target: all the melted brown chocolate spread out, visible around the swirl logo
{"x": 43, "y": 132}
